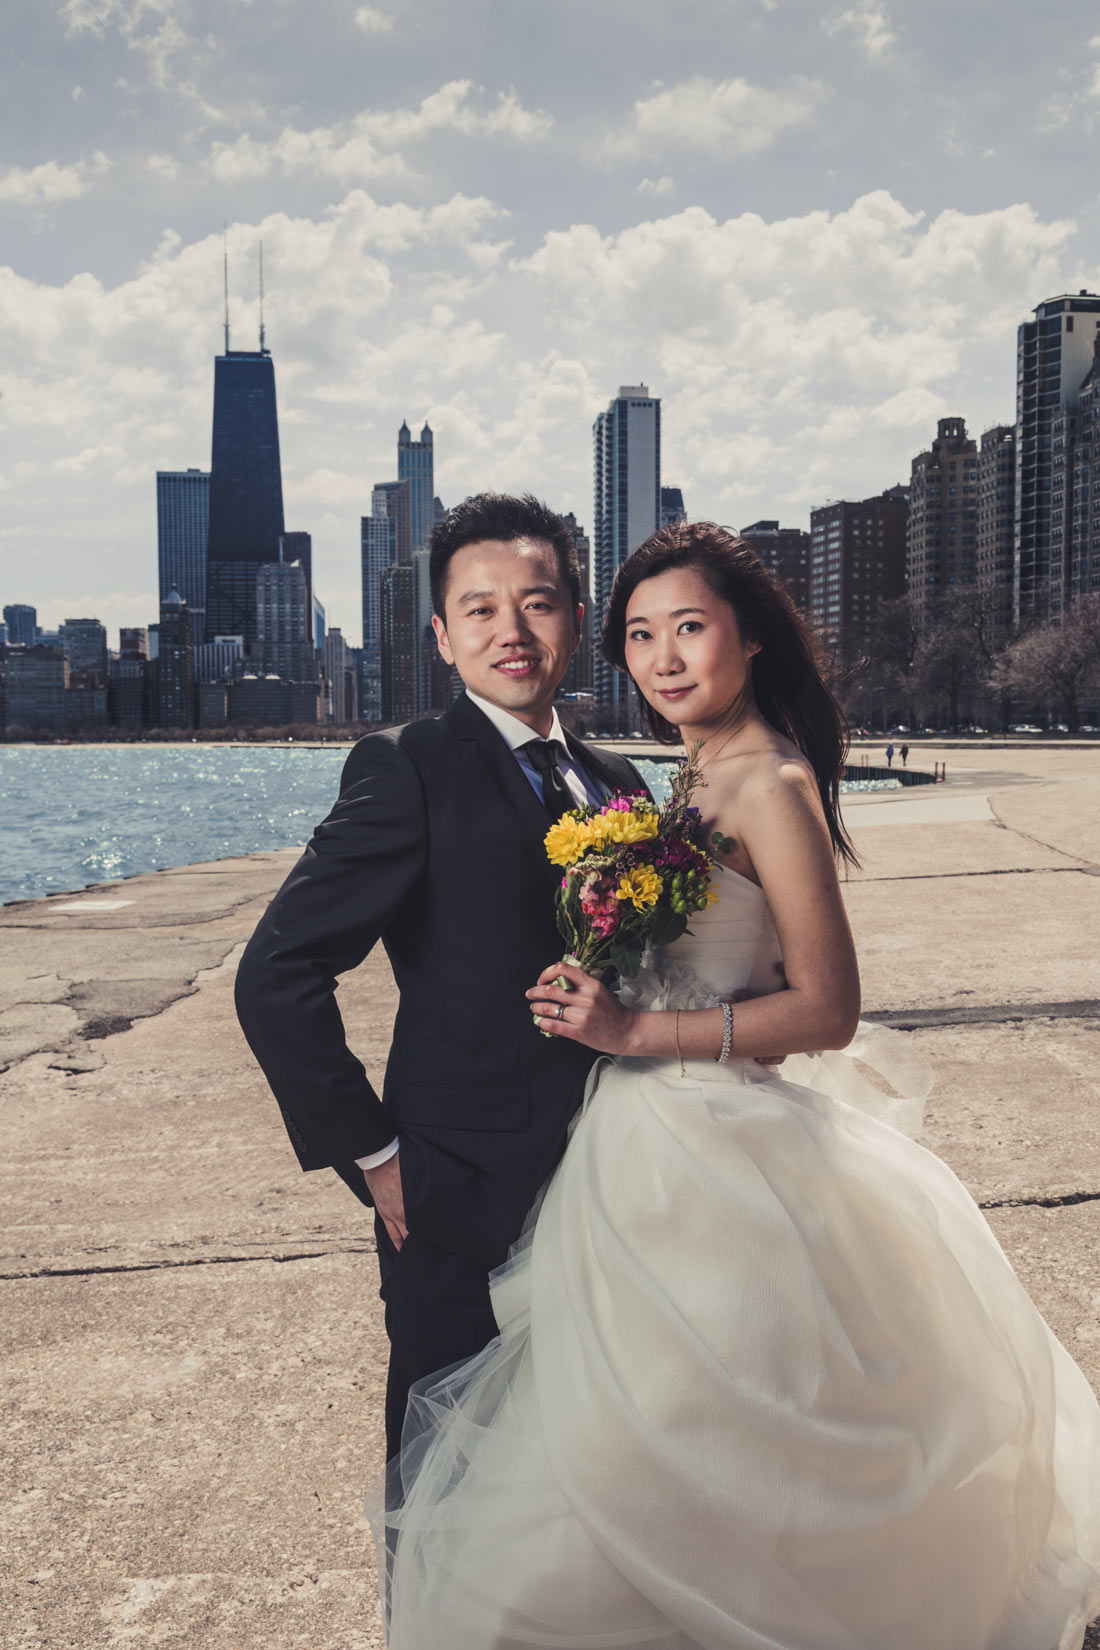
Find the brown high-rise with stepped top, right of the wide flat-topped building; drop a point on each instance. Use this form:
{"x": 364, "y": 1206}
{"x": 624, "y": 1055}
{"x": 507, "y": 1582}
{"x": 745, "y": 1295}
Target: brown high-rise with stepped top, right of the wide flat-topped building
{"x": 943, "y": 535}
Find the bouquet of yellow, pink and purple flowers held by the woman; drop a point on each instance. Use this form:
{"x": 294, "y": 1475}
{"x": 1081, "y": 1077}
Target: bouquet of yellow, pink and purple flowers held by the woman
{"x": 634, "y": 874}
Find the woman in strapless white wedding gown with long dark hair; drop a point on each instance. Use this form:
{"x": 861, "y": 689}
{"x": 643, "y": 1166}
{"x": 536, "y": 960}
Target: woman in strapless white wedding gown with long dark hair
{"x": 764, "y": 1379}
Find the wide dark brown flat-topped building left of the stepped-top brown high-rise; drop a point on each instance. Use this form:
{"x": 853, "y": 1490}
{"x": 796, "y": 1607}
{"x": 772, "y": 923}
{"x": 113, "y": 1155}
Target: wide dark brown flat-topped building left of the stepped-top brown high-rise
{"x": 857, "y": 563}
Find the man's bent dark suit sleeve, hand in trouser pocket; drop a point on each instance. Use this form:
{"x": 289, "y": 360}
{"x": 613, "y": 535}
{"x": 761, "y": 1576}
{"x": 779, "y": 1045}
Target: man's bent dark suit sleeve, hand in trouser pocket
{"x": 362, "y": 862}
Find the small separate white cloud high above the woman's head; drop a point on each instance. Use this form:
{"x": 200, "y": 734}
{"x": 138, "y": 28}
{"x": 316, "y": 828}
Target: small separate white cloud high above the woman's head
{"x": 715, "y": 116}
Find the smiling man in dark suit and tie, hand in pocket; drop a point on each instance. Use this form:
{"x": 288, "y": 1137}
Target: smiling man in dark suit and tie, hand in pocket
{"x": 436, "y": 849}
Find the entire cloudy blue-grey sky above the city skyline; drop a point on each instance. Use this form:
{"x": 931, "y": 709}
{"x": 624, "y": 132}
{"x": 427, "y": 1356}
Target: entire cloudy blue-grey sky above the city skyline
{"x": 811, "y": 227}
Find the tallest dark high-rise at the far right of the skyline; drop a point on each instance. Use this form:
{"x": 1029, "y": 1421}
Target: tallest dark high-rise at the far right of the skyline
{"x": 1055, "y": 352}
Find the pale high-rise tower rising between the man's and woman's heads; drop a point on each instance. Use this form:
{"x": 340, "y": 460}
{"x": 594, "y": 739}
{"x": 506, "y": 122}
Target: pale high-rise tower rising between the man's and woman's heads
{"x": 628, "y": 463}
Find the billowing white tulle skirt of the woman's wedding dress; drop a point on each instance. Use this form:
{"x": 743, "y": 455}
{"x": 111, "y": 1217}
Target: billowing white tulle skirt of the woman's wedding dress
{"x": 764, "y": 1382}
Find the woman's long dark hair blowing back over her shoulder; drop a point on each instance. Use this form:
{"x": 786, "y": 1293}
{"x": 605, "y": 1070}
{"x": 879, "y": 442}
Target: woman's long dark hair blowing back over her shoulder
{"x": 787, "y": 681}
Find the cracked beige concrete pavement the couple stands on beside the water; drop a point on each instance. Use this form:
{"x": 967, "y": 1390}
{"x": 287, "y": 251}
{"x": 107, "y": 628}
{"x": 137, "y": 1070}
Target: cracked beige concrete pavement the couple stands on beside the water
{"x": 192, "y": 1346}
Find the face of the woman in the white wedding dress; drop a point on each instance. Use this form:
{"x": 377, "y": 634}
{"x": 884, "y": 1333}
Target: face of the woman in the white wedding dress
{"x": 685, "y": 648}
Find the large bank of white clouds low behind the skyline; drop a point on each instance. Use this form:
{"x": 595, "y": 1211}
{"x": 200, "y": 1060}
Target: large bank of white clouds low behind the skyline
{"x": 797, "y": 359}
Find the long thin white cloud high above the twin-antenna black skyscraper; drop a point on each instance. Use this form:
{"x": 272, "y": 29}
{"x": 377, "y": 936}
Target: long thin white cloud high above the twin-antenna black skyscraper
{"x": 367, "y": 148}
